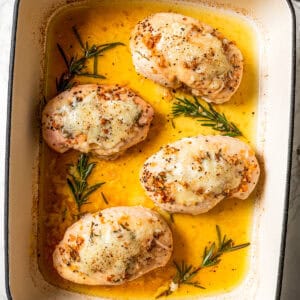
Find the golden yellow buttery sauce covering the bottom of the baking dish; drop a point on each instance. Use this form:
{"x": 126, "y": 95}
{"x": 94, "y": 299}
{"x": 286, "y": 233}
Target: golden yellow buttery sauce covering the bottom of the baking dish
{"x": 112, "y": 21}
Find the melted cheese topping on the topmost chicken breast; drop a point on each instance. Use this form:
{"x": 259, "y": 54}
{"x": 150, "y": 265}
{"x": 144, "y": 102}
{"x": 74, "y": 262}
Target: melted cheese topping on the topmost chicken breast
{"x": 178, "y": 47}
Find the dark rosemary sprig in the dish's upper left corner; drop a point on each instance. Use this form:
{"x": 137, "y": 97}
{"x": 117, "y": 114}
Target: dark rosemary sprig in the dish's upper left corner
{"x": 76, "y": 65}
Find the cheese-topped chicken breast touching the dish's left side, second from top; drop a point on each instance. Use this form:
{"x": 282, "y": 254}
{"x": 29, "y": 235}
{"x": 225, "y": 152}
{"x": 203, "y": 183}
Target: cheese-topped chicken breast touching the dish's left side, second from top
{"x": 101, "y": 119}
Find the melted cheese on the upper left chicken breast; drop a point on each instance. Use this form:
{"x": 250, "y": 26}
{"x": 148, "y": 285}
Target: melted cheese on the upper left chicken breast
{"x": 103, "y": 122}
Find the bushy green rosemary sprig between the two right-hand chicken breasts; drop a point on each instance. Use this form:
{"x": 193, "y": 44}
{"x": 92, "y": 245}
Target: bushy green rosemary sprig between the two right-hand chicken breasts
{"x": 206, "y": 115}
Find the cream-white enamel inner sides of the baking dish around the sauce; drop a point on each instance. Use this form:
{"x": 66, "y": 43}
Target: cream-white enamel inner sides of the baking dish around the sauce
{"x": 274, "y": 23}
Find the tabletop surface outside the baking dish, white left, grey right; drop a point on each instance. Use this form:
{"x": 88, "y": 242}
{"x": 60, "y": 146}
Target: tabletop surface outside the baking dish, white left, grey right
{"x": 291, "y": 280}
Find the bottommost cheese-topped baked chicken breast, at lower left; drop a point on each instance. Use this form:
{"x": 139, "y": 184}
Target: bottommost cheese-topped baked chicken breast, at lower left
{"x": 113, "y": 246}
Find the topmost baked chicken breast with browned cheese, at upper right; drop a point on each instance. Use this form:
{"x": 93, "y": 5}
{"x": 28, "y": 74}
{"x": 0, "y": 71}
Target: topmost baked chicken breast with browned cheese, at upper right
{"x": 178, "y": 51}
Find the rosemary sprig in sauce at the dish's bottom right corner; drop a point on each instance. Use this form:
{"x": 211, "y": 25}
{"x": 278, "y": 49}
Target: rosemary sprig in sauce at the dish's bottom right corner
{"x": 211, "y": 257}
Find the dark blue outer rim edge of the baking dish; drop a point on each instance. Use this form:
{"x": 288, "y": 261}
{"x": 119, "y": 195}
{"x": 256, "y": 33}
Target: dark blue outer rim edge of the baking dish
{"x": 8, "y": 134}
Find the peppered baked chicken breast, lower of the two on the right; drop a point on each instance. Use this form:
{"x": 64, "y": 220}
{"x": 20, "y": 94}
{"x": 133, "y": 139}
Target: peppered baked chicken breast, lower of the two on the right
{"x": 194, "y": 174}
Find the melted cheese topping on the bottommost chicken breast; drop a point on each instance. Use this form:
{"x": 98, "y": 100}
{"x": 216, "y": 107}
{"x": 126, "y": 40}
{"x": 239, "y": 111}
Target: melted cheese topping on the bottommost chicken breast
{"x": 115, "y": 248}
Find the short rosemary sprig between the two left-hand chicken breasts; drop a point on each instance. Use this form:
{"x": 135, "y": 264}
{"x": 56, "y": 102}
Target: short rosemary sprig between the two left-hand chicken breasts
{"x": 77, "y": 180}
